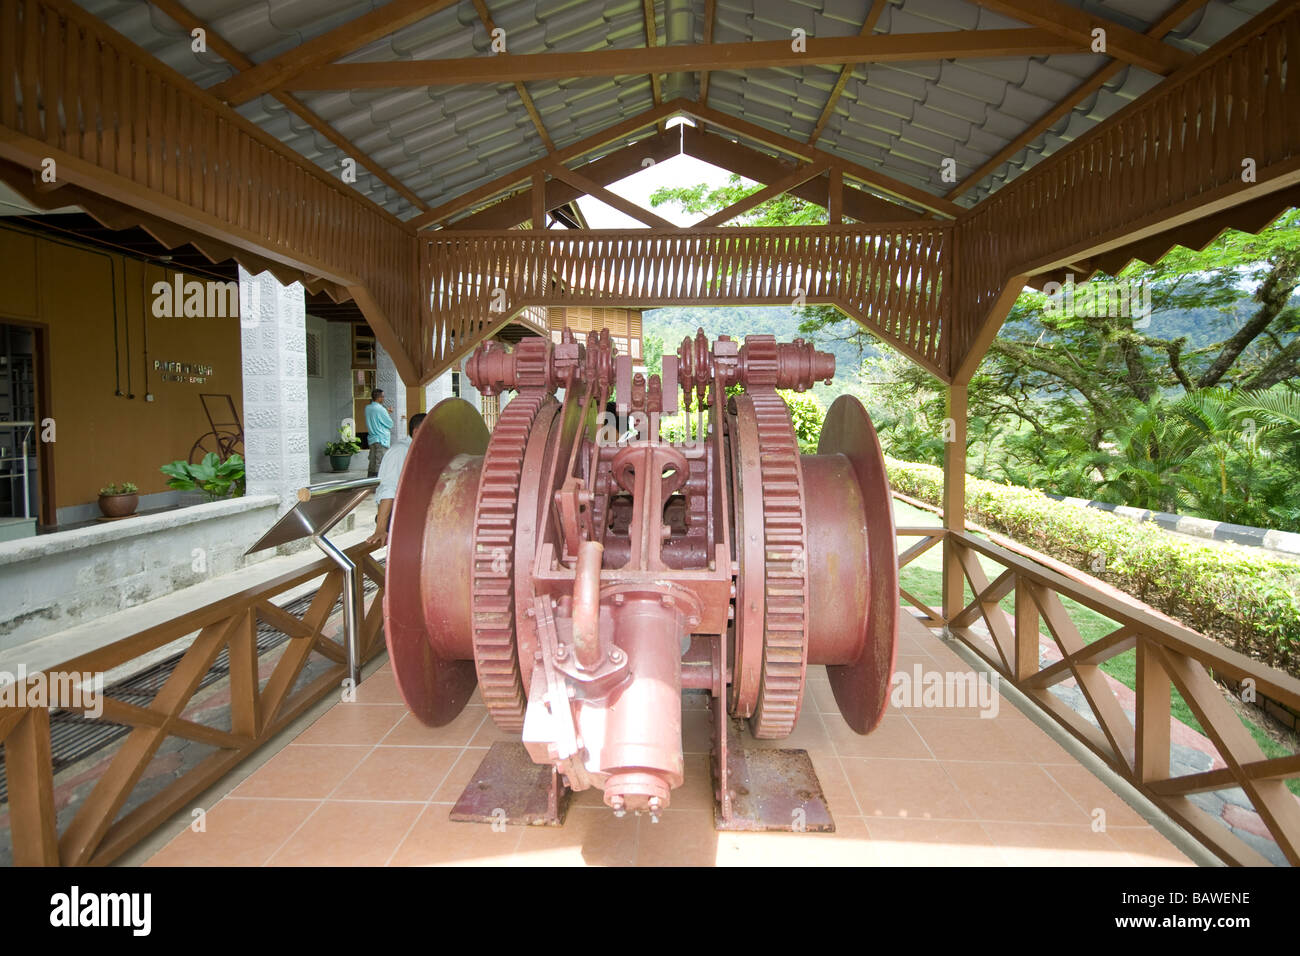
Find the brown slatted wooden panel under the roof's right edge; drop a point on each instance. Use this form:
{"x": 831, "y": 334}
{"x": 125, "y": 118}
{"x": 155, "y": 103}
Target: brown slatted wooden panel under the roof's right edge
{"x": 1177, "y": 152}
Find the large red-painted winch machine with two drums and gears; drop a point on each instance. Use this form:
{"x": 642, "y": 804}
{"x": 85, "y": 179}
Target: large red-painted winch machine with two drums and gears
{"x": 592, "y": 577}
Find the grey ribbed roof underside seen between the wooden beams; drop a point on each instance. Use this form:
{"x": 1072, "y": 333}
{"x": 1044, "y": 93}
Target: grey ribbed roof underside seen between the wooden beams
{"x": 899, "y": 119}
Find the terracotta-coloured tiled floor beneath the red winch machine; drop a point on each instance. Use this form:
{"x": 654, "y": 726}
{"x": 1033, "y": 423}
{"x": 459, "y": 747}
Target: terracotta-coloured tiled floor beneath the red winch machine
{"x": 367, "y": 785}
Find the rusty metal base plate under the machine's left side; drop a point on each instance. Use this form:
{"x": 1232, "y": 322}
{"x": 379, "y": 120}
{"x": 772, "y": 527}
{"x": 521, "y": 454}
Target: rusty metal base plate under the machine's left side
{"x": 510, "y": 789}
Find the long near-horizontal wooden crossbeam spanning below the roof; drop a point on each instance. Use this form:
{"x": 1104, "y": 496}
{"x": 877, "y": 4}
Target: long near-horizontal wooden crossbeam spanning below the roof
{"x": 509, "y": 68}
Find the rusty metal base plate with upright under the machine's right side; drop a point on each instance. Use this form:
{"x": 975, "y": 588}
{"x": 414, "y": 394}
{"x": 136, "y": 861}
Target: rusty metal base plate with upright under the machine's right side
{"x": 765, "y": 789}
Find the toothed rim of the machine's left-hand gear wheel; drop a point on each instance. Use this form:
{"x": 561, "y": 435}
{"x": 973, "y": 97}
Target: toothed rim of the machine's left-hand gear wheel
{"x": 493, "y": 591}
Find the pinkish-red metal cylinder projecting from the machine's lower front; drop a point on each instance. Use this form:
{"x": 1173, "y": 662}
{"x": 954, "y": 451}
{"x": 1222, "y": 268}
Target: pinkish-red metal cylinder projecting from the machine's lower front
{"x": 643, "y": 742}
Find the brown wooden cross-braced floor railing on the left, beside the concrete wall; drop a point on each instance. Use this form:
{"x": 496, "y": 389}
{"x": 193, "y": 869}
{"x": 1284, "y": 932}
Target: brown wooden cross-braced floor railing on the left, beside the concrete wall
{"x": 98, "y": 834}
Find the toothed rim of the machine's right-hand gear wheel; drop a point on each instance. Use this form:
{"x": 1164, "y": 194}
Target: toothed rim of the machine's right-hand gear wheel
{"x": 781, "y": 693}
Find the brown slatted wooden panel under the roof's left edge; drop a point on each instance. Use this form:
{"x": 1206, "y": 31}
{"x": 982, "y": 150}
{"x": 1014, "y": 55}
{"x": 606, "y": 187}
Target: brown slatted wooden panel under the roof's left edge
{"x": 120, "y": 123}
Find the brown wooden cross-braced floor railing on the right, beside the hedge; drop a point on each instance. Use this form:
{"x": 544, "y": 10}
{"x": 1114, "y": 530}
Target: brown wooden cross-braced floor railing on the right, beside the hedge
{"x": 1168, "y": 655}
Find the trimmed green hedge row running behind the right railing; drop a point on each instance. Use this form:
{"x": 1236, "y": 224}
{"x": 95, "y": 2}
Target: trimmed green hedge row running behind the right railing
{"x": 1245, "y": 602}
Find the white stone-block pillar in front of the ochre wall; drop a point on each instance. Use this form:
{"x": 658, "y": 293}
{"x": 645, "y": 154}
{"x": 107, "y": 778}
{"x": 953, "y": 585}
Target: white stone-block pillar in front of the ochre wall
{"x": 274, "y": 348}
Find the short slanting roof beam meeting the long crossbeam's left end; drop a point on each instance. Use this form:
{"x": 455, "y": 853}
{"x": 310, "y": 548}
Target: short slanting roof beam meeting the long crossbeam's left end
{"x": 327, "y": 47}
